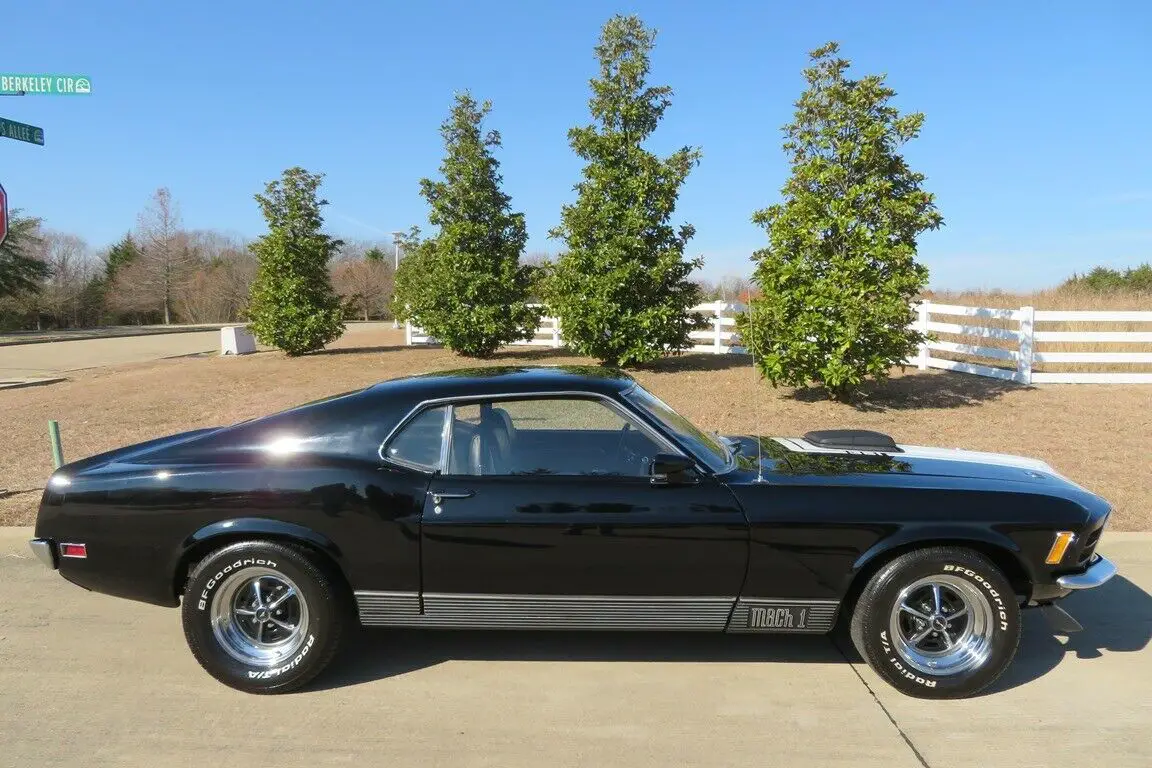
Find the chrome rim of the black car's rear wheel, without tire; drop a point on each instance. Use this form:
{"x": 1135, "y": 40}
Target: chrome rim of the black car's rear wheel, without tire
{"x": 260, "y": 617}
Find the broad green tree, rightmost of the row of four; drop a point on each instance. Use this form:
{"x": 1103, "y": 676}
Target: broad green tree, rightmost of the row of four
{"x": 840, "y": 270}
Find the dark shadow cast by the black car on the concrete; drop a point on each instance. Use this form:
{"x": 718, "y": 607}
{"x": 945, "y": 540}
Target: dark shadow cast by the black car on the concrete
{"x": 1117, "y": 618}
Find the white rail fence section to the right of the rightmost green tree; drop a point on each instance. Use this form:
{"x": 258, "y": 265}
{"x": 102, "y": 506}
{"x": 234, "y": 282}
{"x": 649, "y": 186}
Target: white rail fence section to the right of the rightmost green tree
{"x": 1019, "y": 352}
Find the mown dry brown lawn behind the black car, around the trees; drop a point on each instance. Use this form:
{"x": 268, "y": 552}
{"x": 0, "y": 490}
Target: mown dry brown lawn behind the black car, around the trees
{"x": 1100, "y": 436}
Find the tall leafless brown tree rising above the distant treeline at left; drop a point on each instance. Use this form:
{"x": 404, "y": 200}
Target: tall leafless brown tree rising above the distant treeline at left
{"x": 165, "y": 264}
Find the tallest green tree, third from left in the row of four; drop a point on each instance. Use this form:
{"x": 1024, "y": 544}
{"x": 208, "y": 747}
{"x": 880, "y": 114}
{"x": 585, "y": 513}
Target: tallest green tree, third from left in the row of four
{"x": 622, "y": 290}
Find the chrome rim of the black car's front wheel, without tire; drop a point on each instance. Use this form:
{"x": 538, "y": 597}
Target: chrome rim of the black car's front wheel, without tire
{"x": 942, "y": 626}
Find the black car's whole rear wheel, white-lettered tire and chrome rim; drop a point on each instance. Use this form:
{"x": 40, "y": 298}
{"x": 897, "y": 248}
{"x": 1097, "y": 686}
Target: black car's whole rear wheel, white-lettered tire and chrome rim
{"x": 263, "y": 617}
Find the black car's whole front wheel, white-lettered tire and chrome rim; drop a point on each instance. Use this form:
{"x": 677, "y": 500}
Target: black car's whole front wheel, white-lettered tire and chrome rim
{"x": 938, "y": 623}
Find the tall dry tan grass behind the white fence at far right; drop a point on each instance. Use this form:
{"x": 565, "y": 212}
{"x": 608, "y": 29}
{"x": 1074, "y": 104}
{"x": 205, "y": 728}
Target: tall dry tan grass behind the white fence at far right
{"x": 1058, "y": 299}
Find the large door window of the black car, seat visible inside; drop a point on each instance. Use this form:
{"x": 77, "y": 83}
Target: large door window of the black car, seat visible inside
{"x": 554, "y": 436}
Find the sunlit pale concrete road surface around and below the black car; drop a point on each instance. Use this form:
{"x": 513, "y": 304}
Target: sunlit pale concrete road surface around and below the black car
{"x": 94, "y": 681}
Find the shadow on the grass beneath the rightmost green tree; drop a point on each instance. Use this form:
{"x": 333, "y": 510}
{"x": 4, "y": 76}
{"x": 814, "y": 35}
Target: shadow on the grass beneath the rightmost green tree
{"x": 920, "y": 391}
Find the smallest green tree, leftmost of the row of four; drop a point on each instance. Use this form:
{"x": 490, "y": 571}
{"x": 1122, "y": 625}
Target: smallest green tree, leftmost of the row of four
{"x": 293, "y": 305}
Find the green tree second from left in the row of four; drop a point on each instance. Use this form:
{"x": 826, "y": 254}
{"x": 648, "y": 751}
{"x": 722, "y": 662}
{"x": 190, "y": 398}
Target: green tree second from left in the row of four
{"x": 466, "y": 287}
